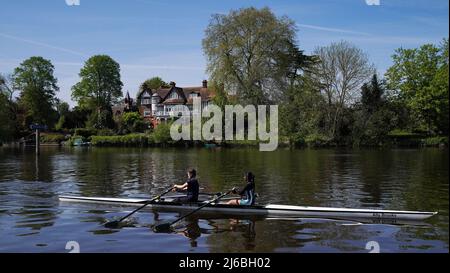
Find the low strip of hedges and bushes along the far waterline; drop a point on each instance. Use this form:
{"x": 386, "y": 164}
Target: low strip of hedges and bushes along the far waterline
{"x": 396, "y": 139}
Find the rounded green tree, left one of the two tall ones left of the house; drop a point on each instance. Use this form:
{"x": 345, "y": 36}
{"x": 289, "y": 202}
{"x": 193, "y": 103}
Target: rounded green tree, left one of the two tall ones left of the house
{"x": 34, "y": 78}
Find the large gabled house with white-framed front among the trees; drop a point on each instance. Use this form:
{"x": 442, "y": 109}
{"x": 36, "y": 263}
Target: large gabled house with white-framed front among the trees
{"x": 165, "y": 103}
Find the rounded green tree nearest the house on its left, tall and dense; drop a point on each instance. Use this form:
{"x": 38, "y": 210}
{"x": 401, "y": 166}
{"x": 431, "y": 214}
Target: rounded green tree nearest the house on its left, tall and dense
{"x": 99, "y": 88}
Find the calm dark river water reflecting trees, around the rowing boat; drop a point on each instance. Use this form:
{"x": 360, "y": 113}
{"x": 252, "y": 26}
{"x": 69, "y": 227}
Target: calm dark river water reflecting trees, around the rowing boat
{"x": 33, "y": 220}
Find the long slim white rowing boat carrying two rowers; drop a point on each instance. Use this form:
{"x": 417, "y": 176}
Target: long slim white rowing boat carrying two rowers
{"x": 169, "y": 204}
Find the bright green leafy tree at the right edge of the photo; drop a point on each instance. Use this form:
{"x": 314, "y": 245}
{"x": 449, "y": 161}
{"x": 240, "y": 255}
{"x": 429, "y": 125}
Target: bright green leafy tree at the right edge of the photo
{"x": 419, "y": 79}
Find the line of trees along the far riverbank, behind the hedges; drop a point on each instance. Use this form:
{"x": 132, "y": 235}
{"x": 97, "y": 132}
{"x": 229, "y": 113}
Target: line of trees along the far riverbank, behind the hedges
{"x": 333, "y": 96}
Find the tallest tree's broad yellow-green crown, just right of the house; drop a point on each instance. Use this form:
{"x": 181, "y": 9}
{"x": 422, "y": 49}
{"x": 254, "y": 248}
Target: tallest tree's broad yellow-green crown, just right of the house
{"x": 252, "y": 52}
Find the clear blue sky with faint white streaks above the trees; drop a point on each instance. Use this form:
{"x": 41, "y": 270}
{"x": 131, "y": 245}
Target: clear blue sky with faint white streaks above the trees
{"x": 163, "y": 38}
